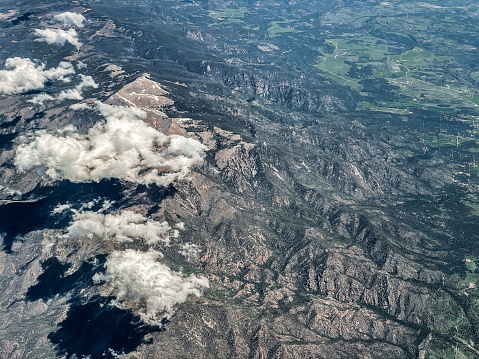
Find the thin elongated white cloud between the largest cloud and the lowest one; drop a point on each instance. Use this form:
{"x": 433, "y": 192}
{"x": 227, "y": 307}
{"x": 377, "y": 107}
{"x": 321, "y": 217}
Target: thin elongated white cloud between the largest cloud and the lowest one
{"x": 123, "y": 226}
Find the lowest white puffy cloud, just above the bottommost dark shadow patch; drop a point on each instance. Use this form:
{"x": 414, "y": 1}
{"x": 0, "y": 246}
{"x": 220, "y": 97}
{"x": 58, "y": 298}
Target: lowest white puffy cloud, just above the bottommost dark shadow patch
{"x": 147, "y": 286}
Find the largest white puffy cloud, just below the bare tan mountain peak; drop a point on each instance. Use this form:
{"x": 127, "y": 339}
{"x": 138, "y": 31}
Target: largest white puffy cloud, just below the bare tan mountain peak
{"x": 123, "y": 147}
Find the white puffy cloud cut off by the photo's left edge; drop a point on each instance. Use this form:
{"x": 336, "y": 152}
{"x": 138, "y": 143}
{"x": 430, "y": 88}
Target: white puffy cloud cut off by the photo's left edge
{"x": 22, "y": 75}
